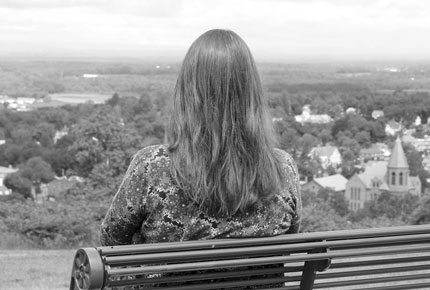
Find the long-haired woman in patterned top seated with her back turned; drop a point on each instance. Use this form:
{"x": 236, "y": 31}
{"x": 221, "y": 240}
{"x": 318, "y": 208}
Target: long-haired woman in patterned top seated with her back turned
{"x": 220, "y": 176}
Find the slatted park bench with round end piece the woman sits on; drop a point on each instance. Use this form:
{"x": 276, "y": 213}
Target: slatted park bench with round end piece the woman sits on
{"x": 378, "y": 258}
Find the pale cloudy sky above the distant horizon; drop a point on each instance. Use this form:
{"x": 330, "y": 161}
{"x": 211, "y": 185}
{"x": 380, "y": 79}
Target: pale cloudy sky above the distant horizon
{"x": 275, "y": 30}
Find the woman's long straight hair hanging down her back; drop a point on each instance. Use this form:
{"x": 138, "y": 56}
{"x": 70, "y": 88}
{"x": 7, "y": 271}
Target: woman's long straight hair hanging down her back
{"x": 220, "y": 137}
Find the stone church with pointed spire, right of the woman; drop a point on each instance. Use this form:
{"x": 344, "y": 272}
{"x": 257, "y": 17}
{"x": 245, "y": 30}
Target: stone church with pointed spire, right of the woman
{"x": 379, "y": 176}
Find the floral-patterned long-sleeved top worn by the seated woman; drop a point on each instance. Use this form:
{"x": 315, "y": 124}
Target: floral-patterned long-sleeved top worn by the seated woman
{"x": 150, "y": 208}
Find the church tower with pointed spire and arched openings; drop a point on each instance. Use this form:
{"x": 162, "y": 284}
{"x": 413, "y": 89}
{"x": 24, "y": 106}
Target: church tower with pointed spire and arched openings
{"x": 398, "y": 169}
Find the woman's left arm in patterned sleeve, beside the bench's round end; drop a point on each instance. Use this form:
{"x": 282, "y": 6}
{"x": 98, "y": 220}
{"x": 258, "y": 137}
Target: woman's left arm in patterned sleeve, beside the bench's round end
{"x": 126, "y": 213}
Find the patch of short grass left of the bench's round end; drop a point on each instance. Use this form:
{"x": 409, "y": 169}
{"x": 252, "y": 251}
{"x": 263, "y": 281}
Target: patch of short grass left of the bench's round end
{"x": 35, "y": 269}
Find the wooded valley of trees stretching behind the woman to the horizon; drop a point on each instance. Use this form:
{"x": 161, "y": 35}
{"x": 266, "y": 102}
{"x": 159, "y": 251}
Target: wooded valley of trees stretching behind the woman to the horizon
{"x": 99, "y": 140}
